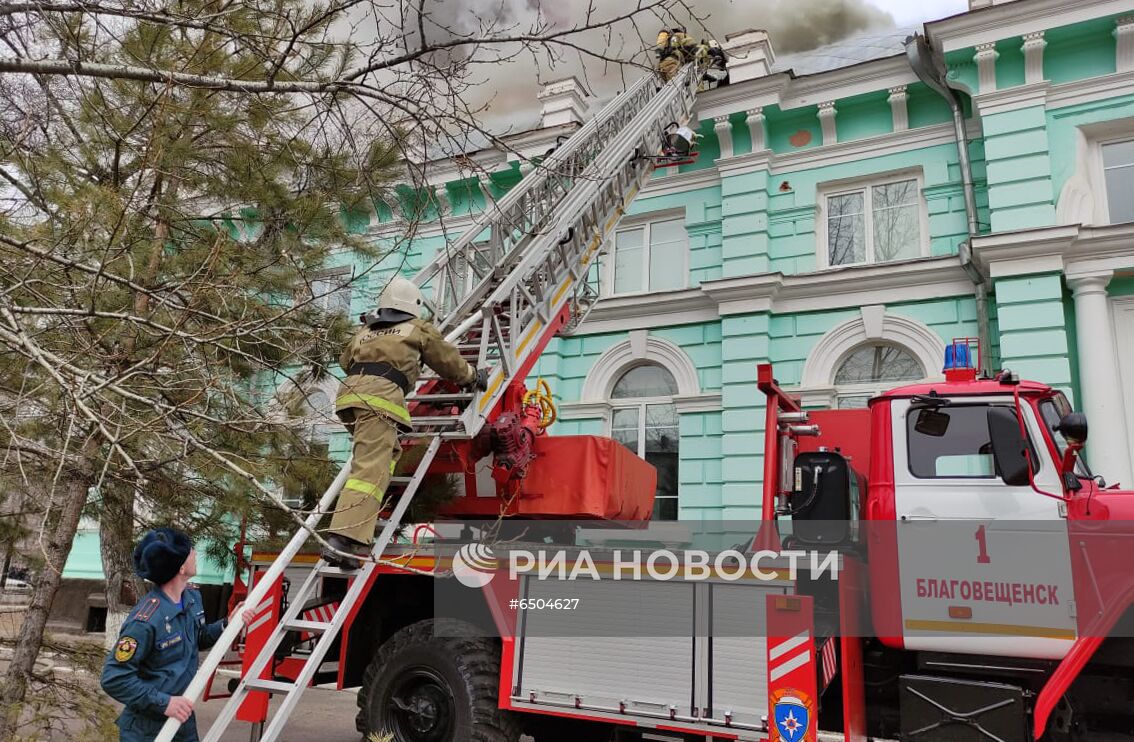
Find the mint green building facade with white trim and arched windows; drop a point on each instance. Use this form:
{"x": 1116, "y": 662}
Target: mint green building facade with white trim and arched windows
{"x": 820, "y": 231}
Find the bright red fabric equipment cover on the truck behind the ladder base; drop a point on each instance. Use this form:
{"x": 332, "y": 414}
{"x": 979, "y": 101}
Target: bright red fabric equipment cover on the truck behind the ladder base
{"x": 587, "y": 477}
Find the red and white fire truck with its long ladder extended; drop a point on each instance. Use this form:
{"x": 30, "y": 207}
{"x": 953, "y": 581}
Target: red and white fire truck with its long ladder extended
{"x": 975, "y": 587}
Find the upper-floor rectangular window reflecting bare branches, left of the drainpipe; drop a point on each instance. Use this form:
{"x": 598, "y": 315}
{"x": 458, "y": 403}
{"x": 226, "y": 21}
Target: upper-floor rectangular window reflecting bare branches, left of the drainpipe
{"x": 876, "y": 223}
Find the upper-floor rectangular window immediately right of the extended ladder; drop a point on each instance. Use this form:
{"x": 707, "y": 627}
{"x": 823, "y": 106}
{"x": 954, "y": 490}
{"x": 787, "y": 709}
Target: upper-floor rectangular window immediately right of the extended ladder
{"x": 651, "y": 258}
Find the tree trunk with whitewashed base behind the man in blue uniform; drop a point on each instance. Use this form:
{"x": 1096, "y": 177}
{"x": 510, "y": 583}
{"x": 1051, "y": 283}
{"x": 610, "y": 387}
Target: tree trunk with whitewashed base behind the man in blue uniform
{"x": 116, "y": 542}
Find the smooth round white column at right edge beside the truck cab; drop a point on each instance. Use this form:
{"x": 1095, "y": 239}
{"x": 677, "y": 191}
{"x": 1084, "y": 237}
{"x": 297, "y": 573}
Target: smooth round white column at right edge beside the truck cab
{"x": 1107, "y": 449}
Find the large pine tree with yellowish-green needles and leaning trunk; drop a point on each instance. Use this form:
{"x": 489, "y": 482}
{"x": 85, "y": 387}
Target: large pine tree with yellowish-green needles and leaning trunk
{"x": 154, "y": 280}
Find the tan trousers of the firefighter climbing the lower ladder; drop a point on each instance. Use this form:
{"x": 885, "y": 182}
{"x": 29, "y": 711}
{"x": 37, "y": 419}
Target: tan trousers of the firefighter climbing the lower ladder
{"x": 376, "y": 454}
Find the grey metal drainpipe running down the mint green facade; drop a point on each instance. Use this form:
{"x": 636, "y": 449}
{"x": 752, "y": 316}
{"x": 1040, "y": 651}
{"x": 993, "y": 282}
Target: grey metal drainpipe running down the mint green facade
{"x": 928, "y": 64}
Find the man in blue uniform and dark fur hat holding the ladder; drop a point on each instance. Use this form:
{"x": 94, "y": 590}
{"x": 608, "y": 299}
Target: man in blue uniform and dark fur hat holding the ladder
{"x": 156, "y": 655}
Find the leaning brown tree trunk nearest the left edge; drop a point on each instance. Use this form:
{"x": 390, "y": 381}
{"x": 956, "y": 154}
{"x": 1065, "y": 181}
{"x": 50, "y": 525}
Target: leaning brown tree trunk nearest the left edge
{"x": 67, "y": 504}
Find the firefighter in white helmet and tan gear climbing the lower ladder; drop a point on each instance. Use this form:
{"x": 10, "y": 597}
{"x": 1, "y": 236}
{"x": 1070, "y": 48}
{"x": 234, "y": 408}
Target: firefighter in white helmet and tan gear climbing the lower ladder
{"x": 383, "y": 364}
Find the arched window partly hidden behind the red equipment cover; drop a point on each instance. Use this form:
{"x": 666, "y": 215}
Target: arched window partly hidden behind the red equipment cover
{"x": 645, "y": 420}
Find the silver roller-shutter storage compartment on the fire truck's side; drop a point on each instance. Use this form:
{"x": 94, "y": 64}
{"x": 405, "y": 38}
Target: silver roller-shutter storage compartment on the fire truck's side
{"x": 693, "y": 652}
